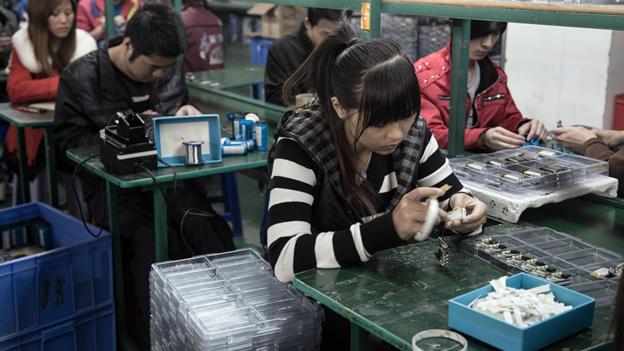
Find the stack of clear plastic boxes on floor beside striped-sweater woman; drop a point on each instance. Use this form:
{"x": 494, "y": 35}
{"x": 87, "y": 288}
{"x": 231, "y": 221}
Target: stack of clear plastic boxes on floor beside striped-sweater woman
{"x": 228, "y": 301}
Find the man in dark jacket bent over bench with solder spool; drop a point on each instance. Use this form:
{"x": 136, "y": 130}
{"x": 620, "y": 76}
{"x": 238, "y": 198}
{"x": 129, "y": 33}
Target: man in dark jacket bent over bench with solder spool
{"x": 141, "y": 71}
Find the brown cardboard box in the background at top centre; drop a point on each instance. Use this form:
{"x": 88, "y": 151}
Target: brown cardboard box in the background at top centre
{"x": 277, "y": 20}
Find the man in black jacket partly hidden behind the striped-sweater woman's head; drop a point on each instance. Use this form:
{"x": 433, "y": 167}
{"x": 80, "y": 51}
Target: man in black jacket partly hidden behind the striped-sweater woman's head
{"x": 289, "y": 52}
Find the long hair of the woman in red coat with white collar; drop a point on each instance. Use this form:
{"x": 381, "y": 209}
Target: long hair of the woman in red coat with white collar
{"x": 41, "y": 38}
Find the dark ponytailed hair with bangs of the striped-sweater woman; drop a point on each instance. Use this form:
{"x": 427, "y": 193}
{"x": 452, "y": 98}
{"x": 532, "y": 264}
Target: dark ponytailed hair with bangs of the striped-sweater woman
{"x": 374, "y": 79}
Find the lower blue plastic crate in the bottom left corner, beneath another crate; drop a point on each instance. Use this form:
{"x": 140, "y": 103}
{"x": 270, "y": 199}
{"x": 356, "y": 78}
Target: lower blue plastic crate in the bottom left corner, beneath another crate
{"x": 94, "y": 330}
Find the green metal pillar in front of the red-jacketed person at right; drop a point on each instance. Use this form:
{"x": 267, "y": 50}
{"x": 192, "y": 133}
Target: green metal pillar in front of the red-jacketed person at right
{"x": 459, "y": 78}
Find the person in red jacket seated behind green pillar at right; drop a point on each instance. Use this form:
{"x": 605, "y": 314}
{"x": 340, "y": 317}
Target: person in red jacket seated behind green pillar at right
{"x": 493, "y": 122}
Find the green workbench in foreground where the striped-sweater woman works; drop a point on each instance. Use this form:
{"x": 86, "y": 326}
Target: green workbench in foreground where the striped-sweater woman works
{"x": 404, "y": 290}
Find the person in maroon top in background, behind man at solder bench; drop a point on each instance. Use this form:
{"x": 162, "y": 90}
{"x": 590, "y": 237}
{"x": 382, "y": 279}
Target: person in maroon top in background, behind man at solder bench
{"x": 204, "y": 35}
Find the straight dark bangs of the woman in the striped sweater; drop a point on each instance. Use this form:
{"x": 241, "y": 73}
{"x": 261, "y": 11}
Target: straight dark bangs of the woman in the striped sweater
{"x": 390, "y": 93}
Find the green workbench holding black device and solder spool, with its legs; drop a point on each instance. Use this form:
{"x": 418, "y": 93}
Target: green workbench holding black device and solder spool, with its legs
{"x": 89, "y": 158}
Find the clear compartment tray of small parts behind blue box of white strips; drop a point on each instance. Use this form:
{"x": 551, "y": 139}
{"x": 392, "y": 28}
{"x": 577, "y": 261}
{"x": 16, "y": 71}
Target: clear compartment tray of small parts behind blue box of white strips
{"x": 558, "y": 257}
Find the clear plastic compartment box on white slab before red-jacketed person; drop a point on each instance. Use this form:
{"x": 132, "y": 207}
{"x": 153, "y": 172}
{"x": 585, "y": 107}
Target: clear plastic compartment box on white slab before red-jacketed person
{"x": 530, "y": 169}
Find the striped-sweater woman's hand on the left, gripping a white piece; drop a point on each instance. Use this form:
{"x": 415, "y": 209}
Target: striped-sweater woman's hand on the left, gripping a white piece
{"x": 410, "y": 213}
